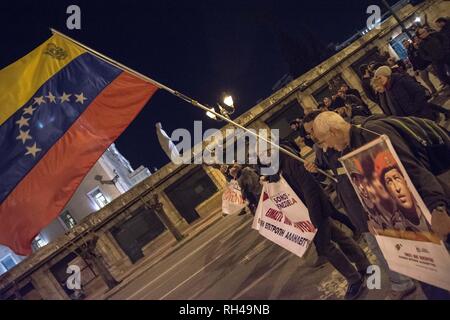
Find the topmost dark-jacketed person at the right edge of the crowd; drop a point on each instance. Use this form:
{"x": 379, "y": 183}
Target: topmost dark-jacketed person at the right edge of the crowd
{"x": 435, "y": 48}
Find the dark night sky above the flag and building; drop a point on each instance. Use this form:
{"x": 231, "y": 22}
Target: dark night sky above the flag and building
{"x": 200, "y": 48}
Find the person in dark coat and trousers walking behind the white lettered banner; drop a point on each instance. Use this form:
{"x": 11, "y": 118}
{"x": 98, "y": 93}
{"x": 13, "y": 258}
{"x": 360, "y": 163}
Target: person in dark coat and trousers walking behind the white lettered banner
{"x": 320, "y": 210}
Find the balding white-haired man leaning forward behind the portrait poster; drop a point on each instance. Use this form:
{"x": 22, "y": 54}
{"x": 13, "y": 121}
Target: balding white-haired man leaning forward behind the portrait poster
{"x": 421, "y": 162}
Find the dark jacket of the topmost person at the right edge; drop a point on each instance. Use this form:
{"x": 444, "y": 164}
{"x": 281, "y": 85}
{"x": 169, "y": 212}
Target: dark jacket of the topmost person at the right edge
{"x": 435, "y": 48}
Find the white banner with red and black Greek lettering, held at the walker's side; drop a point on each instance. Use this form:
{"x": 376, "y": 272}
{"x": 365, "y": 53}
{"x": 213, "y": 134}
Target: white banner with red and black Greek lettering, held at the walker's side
{"x": 282, "y": 218}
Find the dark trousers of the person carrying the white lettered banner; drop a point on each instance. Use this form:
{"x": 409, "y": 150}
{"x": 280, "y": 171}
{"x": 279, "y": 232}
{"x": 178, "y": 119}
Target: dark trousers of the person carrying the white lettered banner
{"x": 340, "y": 257}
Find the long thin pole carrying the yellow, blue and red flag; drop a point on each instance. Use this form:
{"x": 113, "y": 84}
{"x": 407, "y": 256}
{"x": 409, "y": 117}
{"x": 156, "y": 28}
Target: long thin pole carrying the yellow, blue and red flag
{"x": 183, "y": 97}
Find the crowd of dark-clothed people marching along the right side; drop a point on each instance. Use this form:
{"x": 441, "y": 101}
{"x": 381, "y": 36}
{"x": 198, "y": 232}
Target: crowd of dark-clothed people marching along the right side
{"x": 343, "y": 123}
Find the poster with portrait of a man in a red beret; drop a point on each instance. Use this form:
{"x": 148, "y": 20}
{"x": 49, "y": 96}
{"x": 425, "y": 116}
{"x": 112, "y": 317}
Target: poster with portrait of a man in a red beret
{"x": 397, "y": 215}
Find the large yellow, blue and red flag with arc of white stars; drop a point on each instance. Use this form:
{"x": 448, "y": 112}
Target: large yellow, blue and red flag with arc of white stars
{"x": 60, "y": 108}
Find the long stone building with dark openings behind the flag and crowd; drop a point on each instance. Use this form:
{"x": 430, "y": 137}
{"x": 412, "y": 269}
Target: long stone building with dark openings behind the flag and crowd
{"x": 134, "y": 225}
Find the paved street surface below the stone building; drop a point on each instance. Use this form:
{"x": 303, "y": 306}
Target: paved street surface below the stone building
{"x": 231, "y": 261}
